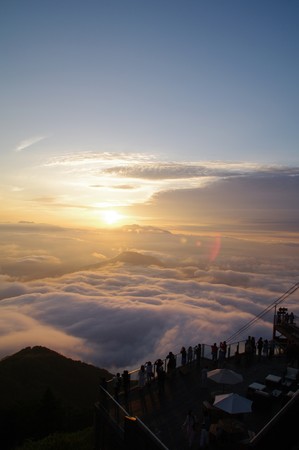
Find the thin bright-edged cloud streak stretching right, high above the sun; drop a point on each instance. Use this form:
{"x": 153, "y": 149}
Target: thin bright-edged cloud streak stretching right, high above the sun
{"x": 137, "y": 166}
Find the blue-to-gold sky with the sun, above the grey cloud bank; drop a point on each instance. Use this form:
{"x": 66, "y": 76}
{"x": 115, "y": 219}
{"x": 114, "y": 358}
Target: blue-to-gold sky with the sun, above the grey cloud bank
{"x": 106, "y": 104}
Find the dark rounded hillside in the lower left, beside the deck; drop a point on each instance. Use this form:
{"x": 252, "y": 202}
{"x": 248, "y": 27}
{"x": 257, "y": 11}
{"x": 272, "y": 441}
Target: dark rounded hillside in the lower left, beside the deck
{"x": 42, "y": 391}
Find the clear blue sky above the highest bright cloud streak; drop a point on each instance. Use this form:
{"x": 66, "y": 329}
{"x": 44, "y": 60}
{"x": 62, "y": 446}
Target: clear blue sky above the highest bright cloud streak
{"x": 184, "y": 79}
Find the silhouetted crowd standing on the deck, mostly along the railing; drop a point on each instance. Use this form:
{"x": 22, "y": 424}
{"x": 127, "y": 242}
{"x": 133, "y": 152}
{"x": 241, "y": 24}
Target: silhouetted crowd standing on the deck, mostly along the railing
{"x": 158, "y": 371}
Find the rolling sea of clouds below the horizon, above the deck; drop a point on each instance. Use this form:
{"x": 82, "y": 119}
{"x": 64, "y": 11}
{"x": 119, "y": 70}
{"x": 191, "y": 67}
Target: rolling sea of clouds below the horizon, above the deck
{"x": 116, "y": 312}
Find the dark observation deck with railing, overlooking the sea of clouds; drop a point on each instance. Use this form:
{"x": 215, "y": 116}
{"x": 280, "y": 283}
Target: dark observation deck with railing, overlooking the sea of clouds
{"x": 148, "y": 419}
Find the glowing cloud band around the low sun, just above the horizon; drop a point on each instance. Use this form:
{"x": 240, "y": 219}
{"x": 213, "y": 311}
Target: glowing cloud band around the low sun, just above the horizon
{"x": 76, "y": 188}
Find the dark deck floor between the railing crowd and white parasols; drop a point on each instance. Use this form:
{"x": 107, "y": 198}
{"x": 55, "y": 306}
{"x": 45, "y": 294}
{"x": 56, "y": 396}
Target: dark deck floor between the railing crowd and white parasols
{"x": 165, "y": 413}
